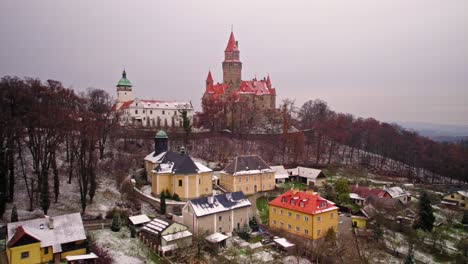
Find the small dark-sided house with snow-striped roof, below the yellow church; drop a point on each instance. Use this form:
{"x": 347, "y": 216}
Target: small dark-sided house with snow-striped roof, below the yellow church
{"x": 165, "y": 235}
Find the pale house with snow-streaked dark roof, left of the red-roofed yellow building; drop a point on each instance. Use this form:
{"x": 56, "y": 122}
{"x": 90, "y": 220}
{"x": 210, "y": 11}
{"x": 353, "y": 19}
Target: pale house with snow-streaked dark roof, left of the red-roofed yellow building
{"x": 221, "y": 213}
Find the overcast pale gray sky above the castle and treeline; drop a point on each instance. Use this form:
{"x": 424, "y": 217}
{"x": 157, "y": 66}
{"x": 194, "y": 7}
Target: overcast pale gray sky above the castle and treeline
{"x": 395, "y": 60}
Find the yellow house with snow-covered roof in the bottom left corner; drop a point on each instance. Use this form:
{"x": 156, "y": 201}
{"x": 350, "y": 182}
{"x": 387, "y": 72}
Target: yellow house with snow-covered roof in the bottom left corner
{"x": 44, "y": 240}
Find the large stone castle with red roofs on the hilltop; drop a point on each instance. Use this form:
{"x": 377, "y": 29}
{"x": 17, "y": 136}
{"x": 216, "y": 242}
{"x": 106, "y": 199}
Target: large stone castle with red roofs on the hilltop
{"x": 258, "y": 94}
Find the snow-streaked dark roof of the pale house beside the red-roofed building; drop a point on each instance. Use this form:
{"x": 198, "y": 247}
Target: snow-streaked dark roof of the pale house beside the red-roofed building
{"x": 219, "y": 203}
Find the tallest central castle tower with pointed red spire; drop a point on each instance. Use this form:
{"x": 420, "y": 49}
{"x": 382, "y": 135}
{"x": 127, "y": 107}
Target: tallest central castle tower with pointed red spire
{"x": 232, "y": 67}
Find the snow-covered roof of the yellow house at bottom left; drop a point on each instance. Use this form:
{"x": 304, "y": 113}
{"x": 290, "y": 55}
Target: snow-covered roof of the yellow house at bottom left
{"x": 66, "y": 228}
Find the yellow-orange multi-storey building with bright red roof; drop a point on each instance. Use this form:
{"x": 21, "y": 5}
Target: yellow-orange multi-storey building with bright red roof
{"x": 304, "y": 214}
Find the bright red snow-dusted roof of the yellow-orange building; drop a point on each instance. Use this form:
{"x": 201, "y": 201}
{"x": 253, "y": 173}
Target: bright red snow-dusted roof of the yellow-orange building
{"x": 303, "y": 202}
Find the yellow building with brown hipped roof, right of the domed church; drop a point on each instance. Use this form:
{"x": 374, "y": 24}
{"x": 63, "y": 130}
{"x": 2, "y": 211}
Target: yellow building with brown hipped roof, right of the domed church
{"x": 248, "y": 174}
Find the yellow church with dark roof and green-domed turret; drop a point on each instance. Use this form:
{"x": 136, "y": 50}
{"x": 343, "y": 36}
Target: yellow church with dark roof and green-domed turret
{"x": 176, "y": 171}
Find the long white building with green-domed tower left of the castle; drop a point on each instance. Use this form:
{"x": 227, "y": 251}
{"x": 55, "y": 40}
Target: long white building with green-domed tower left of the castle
{"x": 148, "y": 113}
